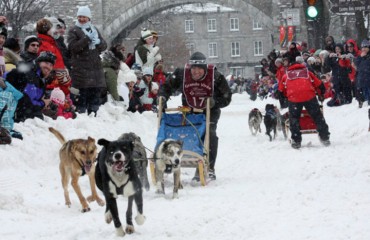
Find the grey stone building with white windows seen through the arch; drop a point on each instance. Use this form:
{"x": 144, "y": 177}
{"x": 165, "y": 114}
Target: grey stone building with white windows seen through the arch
{"x": 233, "y": 40}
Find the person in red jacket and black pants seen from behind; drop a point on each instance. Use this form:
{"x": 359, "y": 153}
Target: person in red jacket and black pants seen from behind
{"x": 300, "y": 87}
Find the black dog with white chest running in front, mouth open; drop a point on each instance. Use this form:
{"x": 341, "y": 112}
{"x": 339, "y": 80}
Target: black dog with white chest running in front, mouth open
{"x": 116, "y": 175}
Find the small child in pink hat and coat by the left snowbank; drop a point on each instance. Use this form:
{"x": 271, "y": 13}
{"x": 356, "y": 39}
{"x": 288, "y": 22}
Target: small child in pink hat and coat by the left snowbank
{"x": 63, "y": 106}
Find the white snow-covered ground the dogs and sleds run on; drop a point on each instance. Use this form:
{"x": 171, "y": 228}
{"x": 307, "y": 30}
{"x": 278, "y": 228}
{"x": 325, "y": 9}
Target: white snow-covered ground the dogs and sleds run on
{"x": 264, "y": 190}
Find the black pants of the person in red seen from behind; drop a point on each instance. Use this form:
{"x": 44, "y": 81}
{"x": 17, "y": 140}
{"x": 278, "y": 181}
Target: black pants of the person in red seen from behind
{"x": 313, "y": 108}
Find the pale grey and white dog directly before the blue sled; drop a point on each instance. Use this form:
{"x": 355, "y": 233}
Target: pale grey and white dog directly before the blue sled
{"x": 167, "y": 159}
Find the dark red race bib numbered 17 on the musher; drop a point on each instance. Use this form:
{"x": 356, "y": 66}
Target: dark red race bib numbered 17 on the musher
{"x": 197, "y": 92}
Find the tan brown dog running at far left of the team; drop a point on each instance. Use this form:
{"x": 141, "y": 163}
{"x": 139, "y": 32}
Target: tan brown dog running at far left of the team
{"x": 77, "y": 158}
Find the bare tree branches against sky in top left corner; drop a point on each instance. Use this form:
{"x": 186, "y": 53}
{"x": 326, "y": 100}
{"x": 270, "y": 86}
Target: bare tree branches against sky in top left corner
{"x": 21, "y": 12}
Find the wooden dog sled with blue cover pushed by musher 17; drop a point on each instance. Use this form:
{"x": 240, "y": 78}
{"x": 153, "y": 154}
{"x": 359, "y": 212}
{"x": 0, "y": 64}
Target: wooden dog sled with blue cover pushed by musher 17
{"x": 191, "y": 126}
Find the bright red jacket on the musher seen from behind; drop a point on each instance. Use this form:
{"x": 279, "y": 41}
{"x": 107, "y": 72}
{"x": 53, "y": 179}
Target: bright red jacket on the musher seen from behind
{"x": 299, "y": 84}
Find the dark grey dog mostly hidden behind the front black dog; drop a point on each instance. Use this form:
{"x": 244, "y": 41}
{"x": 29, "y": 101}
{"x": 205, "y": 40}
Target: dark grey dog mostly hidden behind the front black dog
{"x": 140, "y": 157}
